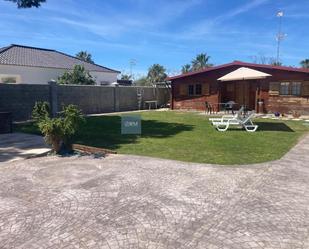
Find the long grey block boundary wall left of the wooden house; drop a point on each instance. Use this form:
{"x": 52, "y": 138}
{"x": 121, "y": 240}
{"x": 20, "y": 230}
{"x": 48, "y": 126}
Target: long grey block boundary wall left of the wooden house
{"x": 20, "y": 98}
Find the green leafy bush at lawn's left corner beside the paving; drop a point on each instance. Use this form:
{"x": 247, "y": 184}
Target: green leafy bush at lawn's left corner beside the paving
{"x": 58, "y": 131}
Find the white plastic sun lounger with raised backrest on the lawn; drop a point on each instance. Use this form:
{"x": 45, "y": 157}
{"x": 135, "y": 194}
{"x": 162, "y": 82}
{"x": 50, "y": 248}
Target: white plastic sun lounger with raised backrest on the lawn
{"x": 245, "y": 123}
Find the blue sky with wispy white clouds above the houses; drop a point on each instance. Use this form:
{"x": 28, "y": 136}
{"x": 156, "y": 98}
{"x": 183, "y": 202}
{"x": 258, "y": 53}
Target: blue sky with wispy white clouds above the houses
{"x": 167, "y": 32}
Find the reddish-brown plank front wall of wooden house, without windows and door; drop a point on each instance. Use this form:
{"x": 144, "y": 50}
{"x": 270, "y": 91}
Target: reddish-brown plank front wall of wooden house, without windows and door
{"x": 271, "y": 103}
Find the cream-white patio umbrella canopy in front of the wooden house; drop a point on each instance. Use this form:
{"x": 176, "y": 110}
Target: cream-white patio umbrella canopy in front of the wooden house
{"x": 244, "y": 73}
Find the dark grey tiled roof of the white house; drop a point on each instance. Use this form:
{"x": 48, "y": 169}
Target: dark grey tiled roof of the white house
{"x": 38, "y": 57}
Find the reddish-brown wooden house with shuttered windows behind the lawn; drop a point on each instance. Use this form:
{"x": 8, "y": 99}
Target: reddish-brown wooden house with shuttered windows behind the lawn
{"x": 263, "y": 88}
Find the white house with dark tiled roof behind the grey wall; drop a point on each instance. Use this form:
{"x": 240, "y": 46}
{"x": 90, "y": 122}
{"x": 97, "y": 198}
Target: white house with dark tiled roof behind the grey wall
{"x": 23, "y": 64}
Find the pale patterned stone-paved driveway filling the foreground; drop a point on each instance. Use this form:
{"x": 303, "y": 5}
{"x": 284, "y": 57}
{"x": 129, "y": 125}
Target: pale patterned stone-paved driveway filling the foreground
{"x": 137, "y": 202}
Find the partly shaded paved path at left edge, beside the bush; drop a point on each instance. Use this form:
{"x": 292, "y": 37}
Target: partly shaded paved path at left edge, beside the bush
{"x": 17, "y": 146}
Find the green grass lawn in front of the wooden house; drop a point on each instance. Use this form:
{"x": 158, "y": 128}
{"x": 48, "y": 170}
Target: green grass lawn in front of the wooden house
{"x": 190, "y": 137}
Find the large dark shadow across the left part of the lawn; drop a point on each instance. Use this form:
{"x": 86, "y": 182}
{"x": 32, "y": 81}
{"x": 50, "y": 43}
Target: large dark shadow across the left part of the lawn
{"x": 105, "y": 131}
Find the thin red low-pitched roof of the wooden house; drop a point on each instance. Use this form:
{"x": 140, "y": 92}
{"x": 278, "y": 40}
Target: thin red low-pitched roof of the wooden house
{"x": 241, "y": 64}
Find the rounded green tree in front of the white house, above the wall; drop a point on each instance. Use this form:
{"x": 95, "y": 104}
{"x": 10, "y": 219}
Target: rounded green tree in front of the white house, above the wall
{"x": 79, "y": 76}
